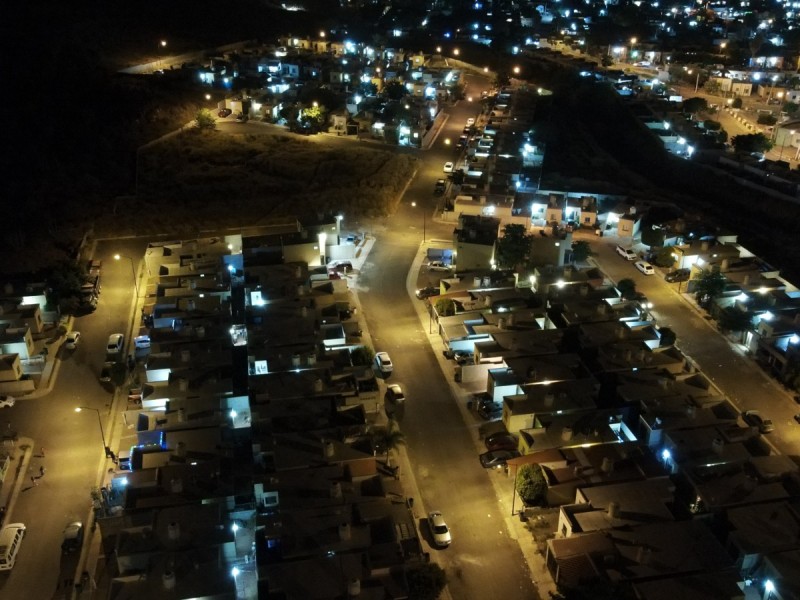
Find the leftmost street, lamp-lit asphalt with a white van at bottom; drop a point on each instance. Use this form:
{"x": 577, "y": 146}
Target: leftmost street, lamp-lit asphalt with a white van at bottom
{"x": 74, "y": 456}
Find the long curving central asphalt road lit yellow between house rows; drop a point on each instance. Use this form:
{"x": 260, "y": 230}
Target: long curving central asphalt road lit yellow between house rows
{"x": 483, "y": 561}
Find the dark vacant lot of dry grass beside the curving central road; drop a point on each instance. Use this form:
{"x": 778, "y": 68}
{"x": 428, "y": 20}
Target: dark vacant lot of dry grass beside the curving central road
{"x": 200, "y": 180}
